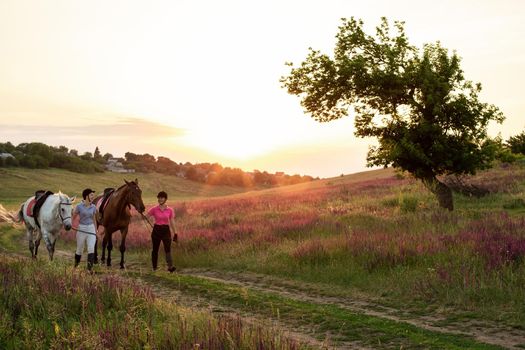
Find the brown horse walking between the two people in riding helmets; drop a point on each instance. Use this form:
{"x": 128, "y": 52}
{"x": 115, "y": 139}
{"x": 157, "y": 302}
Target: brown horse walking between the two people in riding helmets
{"x": 117, "y": 215}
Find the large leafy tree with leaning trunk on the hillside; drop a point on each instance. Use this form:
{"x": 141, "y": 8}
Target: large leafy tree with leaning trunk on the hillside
{"x": 428, "y": 120}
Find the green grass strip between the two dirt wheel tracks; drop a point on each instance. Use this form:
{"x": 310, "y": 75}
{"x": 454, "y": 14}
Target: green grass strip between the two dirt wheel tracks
{"x": 343, "y": 324}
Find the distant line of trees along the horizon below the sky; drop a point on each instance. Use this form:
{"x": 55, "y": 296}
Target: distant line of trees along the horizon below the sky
{"x": 36, "y": 155}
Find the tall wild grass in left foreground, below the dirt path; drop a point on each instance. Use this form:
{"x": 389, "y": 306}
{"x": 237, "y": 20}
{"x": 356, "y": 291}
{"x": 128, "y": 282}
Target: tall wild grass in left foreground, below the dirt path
{"x": 45, "y": 306}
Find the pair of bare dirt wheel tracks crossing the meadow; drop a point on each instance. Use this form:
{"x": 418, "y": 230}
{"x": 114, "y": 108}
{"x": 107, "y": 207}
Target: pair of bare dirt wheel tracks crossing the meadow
{"x": 483, "y": 332}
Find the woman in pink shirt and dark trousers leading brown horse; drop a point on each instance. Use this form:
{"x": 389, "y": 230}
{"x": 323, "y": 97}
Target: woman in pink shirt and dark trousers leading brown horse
{"x": 164, "y": 219}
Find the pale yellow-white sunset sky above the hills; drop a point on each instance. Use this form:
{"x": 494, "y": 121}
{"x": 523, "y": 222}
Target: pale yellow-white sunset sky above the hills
{"x": 198, "y": 80}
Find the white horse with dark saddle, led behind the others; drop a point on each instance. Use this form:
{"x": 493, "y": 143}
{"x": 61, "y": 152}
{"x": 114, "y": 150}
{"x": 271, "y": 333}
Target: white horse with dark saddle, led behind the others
{"x": 55, "y": 212}
